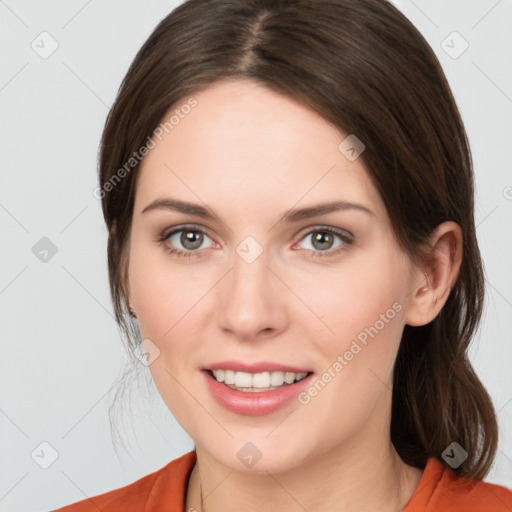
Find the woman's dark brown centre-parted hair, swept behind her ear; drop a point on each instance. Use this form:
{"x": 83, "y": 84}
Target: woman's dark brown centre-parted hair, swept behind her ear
{"x": 365, "y": 68}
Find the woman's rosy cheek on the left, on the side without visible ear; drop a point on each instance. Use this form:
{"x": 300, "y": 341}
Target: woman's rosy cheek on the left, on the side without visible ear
{"x": 167, "y": 301}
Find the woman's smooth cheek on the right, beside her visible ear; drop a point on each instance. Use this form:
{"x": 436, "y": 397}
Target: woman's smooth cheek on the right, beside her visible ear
{"x": 364, "y": 311}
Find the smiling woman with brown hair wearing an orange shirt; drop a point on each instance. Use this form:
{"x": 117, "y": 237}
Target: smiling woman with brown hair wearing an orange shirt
{"x": 288, "y": 191}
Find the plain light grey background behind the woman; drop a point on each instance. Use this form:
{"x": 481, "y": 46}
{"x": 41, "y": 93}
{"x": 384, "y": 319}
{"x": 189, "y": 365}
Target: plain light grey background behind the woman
{"x": 61, "y": 351}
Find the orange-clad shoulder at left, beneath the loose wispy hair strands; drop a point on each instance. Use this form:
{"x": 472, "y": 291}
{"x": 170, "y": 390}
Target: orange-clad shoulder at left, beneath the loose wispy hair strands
{"x": 167, "y": 484}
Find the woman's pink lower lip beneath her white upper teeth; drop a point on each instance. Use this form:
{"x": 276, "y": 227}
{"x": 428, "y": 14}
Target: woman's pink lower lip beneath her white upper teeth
{"x": 254, "y": 404}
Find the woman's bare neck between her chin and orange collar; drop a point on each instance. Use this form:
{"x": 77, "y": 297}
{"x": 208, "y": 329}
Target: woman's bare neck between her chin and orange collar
{"x": 365, "y": 474}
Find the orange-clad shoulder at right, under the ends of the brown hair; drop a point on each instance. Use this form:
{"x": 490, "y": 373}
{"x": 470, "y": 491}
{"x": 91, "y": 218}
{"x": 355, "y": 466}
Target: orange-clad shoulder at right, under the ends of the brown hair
{"x": 440, "y": 488}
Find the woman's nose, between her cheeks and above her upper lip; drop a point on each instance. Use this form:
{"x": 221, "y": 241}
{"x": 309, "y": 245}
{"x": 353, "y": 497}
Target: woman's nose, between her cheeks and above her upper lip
{"x": 252, "y": 301}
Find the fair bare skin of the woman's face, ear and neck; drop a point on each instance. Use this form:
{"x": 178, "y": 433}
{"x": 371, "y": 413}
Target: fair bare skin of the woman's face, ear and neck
{"x": 250, "y": 154}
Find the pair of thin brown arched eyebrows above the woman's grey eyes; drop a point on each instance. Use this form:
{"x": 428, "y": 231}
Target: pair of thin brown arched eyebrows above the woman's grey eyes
{"x": 293, "y": 215}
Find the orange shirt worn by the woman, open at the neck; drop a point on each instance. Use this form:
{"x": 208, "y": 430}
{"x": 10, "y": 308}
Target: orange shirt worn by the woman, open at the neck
{"x": 439, "y": 490}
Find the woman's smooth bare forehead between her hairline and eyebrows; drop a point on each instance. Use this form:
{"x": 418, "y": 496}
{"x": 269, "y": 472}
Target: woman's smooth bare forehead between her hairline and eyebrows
{"x": 244, "y": 145}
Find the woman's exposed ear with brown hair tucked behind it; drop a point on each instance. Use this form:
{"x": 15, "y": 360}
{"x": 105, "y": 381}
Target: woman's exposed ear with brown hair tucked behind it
{"x": 436, "y": 276}
